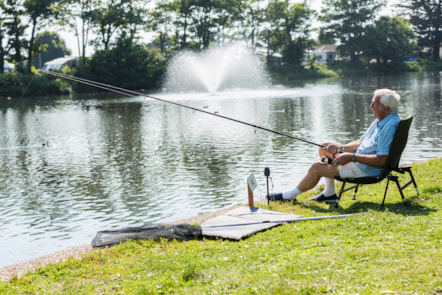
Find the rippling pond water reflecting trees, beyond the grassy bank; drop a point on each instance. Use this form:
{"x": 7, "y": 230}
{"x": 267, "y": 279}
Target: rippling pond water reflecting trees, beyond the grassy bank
{"x": 73, "y": 166}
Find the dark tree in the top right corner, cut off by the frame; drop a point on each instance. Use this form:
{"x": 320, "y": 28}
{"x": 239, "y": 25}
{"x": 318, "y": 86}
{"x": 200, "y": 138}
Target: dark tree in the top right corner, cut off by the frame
{"x": 426, "y": 17}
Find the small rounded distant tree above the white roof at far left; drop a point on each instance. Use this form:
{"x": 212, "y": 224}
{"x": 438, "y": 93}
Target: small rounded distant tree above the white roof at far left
{"x": 52, "y": 46}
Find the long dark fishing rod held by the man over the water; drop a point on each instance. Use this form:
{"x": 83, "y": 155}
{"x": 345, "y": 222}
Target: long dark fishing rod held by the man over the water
{"x": 132, "y": 93}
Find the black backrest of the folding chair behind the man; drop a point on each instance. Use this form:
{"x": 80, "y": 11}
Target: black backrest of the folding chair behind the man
{"x": 398, "y": 144}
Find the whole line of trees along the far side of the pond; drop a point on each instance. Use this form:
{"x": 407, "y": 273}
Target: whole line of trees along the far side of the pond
{"x": 271, "y": 27}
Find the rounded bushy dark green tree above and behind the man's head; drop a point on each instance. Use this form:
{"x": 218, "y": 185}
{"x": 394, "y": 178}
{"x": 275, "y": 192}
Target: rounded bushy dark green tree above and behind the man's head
{"x": 389, "y": 40}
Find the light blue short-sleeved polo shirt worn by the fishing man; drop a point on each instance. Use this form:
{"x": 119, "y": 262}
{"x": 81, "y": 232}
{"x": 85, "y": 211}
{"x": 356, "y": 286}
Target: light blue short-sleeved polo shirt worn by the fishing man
{"x": 377, "y": 141}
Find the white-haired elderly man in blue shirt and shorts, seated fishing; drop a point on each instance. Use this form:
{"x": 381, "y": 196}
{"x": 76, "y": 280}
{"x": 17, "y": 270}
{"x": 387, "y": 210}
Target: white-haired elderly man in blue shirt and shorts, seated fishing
{"x": 364, "y": 157}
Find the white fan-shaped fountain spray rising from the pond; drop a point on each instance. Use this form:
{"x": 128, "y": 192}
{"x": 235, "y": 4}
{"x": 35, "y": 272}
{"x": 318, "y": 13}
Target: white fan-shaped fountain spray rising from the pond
{"x": 228, "y": 67}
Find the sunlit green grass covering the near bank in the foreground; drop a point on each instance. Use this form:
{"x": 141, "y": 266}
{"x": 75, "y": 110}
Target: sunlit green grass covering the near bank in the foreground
{"x": 393, "y": 251}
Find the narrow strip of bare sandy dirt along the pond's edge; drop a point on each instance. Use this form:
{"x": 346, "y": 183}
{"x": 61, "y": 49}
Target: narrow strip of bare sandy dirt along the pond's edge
{"x": 16, "y": 270}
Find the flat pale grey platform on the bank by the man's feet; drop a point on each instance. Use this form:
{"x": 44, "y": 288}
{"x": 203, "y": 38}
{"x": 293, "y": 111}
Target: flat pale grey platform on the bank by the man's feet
{"x": 244, "y": 221}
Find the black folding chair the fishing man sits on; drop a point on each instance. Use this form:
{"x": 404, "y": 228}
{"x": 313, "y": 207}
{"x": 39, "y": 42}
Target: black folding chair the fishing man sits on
{"x": 391, "y": 165}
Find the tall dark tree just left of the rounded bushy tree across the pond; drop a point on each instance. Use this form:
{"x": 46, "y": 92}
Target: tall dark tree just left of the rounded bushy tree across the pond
{"x": 346, "y": 21}
